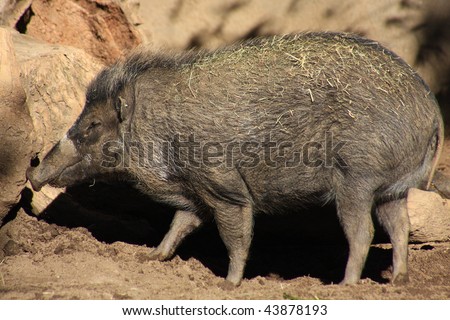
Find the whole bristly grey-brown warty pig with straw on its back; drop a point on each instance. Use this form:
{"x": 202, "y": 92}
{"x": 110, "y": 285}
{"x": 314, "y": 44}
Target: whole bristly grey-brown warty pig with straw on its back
{"x": 264, "y": 126}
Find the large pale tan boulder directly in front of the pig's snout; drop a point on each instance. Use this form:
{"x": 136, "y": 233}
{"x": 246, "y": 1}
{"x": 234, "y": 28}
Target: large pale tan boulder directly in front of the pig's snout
{"x": 42, "y": 92}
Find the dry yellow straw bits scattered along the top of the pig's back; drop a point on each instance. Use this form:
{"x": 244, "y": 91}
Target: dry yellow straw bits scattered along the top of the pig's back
{"x": 324, "y": 60}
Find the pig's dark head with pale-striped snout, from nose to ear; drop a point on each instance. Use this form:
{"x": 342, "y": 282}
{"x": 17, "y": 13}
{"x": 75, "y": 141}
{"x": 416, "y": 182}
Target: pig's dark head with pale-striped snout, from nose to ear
{"x": 79, "y": 156}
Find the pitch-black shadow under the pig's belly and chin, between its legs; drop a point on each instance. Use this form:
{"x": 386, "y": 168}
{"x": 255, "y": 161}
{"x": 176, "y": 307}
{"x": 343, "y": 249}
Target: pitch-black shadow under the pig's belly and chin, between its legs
{"x": 309, "y": 243}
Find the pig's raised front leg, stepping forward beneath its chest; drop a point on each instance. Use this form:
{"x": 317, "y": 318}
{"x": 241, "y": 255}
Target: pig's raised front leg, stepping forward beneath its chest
{"x": 183, "y": 224}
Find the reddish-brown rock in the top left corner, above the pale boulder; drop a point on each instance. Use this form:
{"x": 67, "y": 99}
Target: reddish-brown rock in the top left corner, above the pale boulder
{"x": 99, "y": 27}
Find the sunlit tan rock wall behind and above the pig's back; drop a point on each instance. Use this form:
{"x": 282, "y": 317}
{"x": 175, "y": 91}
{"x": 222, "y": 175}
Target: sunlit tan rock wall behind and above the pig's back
{"x": 205, "y": 23}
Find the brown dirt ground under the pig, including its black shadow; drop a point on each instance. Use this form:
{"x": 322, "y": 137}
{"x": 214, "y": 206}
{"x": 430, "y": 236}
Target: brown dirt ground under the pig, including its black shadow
{"x": 81, "y": 254}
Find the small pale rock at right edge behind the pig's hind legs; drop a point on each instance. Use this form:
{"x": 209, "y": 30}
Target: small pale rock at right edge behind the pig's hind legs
{"x": 429, "y": 216}
